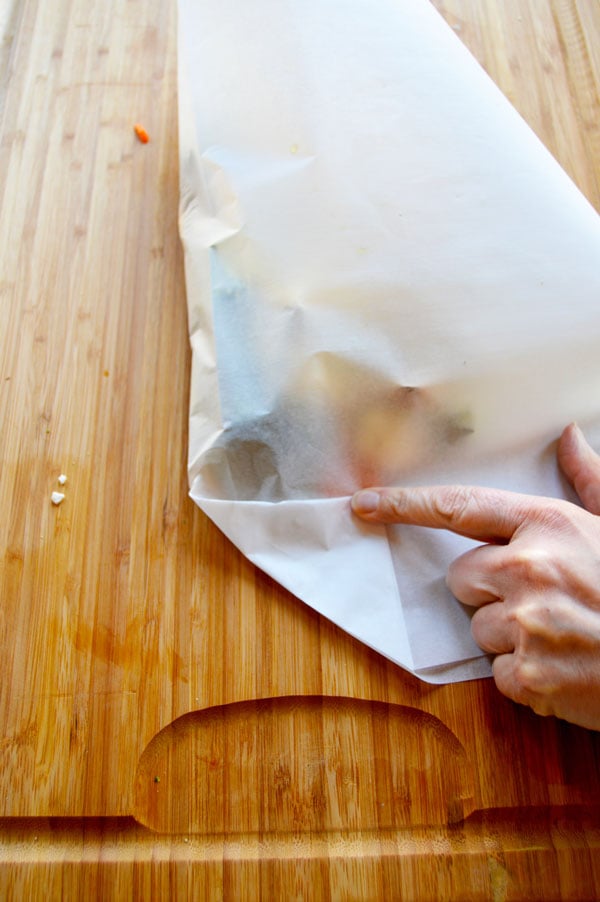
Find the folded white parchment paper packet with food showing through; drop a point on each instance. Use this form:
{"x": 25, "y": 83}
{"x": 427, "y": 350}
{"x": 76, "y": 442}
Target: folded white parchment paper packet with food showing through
{"x": 390, "y": 281}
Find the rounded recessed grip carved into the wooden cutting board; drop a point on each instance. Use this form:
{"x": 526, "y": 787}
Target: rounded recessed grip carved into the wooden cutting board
{"x": 298, "y": 764}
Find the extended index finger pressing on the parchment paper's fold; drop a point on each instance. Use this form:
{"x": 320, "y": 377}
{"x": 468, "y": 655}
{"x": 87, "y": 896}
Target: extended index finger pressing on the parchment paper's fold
{"x": 489, "y": 515}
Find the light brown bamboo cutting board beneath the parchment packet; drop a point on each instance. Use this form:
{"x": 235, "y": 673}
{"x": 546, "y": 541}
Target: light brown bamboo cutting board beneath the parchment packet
{"x": 172, "y": 723}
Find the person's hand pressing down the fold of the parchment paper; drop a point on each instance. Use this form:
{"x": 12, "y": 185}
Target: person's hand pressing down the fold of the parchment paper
{"x": 535, "y": 582}
